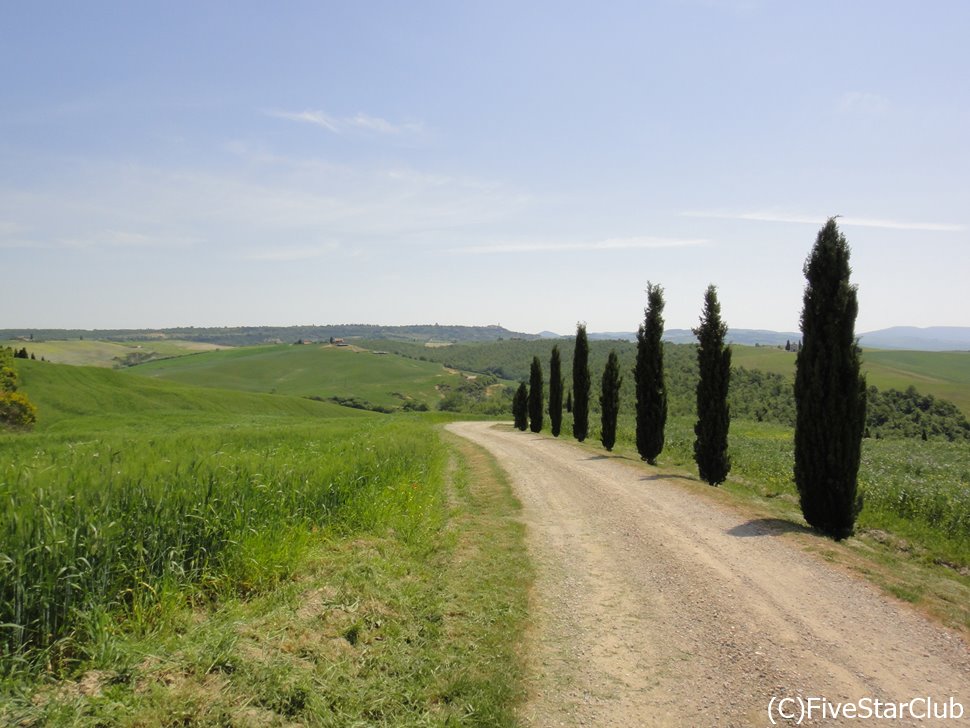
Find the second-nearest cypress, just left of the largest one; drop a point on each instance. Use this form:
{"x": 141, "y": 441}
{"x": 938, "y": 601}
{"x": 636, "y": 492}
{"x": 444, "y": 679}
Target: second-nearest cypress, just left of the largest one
{"x": 713, "y": 411}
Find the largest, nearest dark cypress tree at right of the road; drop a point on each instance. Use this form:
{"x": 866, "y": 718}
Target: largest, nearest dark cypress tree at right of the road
{"x": 830, "y": 392}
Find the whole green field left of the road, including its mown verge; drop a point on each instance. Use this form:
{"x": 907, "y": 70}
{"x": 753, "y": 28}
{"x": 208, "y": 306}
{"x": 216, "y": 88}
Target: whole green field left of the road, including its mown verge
{"x": 256, "y": 562}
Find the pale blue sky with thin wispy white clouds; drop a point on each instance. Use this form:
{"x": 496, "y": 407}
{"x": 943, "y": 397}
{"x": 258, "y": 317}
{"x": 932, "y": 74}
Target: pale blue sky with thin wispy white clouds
{"x": 529, "y": 164}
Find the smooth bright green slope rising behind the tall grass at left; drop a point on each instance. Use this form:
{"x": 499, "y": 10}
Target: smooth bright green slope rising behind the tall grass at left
{"x": 91, "y": 397}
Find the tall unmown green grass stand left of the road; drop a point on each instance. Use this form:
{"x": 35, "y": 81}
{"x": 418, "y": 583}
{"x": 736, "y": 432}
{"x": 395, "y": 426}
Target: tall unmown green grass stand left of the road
{"x": 118, "y": 525}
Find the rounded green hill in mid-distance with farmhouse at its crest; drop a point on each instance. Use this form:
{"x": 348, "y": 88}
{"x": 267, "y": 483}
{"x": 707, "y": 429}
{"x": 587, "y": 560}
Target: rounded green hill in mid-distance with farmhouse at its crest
{"x": 313, "y": 370}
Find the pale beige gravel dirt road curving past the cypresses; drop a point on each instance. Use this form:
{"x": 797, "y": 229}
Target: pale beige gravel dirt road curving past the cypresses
{"x": 654, "y": 607}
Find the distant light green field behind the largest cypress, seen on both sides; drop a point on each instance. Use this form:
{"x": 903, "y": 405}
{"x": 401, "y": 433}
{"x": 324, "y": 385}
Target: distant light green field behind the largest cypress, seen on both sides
{"x": 944, "y": 374}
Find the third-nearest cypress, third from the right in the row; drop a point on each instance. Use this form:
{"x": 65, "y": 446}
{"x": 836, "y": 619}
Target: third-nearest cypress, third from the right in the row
{"x": 649, "y": 374}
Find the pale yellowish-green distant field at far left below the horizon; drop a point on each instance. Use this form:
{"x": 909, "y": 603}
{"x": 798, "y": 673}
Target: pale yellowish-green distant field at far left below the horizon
{"x": 85, "y": 352}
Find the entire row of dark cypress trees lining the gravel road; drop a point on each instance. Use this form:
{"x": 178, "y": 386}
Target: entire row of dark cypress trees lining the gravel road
{"x": 830, "y": 392}
